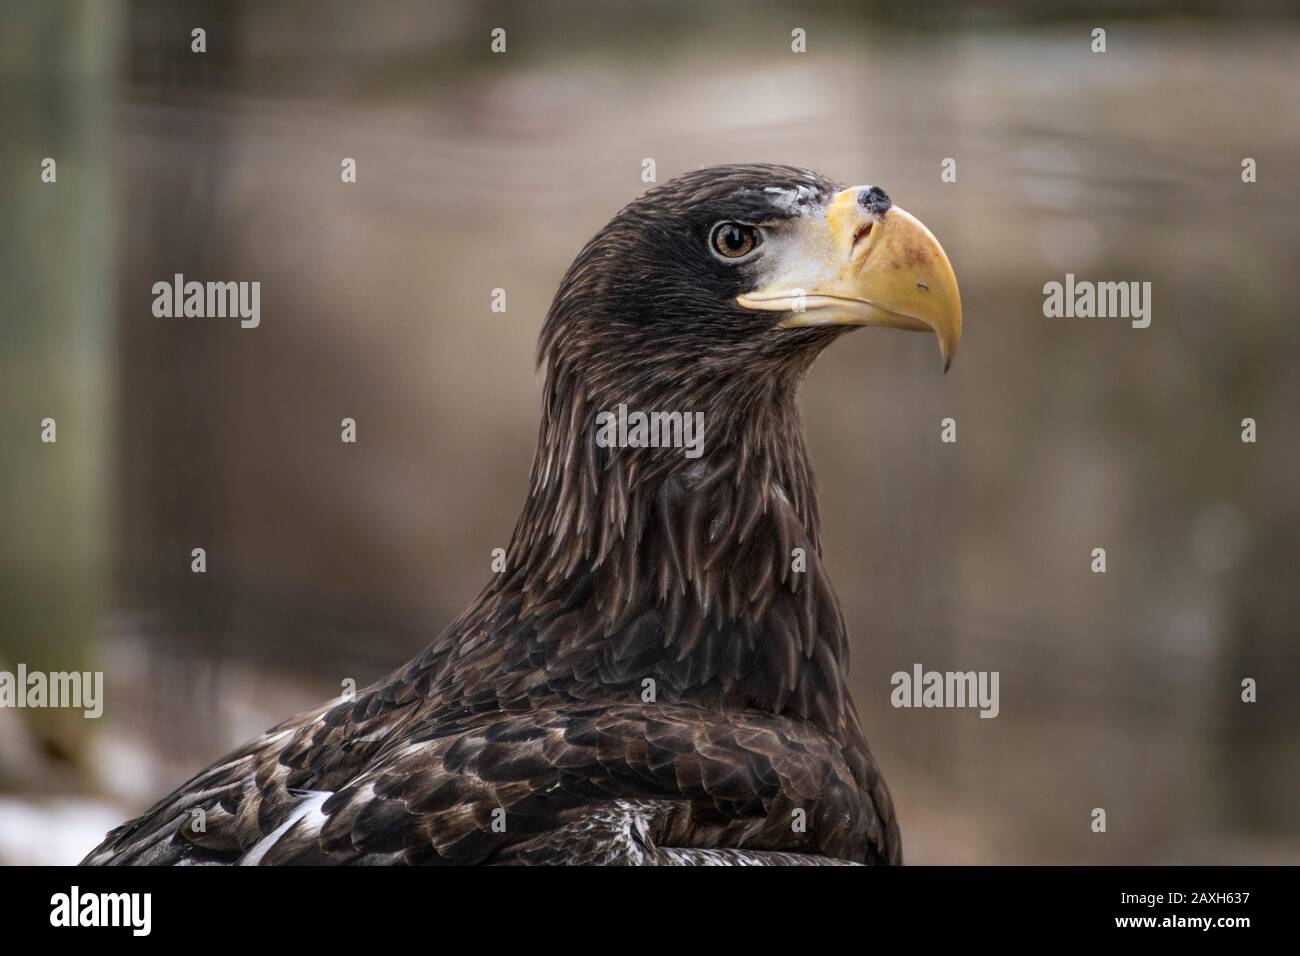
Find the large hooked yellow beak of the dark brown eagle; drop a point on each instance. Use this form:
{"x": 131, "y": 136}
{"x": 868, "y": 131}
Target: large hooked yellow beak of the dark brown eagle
{"x": 869, "y": 269}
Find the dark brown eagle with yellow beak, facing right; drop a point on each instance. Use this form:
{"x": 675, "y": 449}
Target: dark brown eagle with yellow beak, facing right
{"x": 658, "y": 673}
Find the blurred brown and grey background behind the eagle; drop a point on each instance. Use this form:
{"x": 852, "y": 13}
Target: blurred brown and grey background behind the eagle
{"x": 479, "y": 171}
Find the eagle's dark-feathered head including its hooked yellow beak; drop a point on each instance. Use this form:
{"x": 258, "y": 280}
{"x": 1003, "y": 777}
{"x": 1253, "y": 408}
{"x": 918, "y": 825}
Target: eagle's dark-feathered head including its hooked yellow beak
{"x": 730, "y": 280}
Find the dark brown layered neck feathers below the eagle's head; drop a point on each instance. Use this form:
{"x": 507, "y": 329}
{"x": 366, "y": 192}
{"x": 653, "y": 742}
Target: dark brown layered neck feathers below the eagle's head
{"x": 638, "y": 565}
